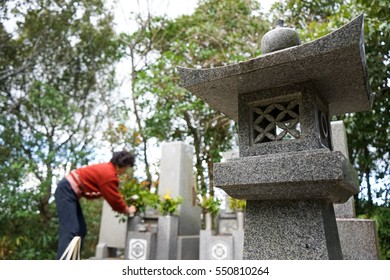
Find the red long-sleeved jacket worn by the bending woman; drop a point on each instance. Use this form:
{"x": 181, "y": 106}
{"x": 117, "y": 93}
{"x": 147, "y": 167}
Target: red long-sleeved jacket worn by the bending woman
{"x": 101, "y": 180}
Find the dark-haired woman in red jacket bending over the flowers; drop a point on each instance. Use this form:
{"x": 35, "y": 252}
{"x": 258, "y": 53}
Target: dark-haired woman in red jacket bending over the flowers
{"x": 91, "y": 182}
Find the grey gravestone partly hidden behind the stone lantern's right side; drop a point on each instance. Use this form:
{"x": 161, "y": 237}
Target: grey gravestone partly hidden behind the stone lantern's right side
{"x": 358, "y": 237}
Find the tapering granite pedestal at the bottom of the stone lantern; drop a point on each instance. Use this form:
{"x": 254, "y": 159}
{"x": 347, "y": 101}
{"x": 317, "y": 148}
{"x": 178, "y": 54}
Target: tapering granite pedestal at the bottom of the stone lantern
{"x": 291, "y": 230}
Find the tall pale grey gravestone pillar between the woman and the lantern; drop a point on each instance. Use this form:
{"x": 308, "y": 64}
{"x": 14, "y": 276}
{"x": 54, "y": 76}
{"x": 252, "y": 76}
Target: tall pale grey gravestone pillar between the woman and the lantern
{"x": 178, "y": 239}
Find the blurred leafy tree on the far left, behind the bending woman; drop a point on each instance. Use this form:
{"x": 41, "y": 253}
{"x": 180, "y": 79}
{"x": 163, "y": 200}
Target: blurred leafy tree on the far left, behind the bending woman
{"x": 55, "y": 68}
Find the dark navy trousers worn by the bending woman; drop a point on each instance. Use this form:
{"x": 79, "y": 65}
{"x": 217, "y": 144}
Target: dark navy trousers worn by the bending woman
{"x": 70, "y": 215}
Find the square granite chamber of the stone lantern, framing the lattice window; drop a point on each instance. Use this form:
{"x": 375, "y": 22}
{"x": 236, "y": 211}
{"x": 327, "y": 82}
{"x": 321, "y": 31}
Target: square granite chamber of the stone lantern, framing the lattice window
{"x": 309, "y": 103}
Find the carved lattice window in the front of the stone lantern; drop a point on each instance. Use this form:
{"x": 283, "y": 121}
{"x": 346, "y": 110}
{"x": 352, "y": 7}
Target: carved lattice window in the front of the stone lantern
{"x": 276, "y": 121}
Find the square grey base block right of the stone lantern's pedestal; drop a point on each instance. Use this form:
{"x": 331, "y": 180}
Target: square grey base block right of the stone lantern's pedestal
{"x": 358, "y": 238}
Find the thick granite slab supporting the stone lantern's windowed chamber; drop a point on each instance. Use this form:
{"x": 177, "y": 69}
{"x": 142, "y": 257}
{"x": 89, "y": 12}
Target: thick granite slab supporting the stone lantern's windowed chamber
{"x": 315, "y": 174}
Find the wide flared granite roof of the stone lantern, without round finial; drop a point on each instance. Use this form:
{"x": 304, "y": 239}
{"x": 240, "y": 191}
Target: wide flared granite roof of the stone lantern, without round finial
{"x": 335, "y": 63}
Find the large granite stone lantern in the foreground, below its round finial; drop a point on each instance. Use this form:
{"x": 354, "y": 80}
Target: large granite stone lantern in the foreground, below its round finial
{"x": 287, "y": 170}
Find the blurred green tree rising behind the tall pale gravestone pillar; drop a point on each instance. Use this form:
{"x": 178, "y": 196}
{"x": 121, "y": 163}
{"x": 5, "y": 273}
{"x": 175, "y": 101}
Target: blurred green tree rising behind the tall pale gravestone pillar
{"x": 209, "y": 37}
